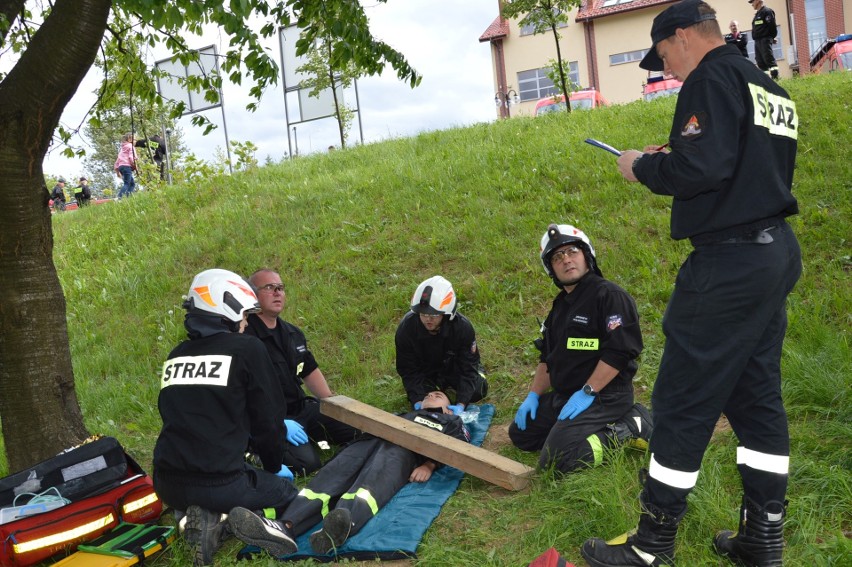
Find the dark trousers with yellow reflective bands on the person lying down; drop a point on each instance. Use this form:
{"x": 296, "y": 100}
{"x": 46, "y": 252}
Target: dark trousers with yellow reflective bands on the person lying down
{"x": 362, "y": 478}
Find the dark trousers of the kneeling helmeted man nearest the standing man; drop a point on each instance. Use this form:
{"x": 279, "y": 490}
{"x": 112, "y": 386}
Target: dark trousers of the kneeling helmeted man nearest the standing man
{"x": 573, "y": 444}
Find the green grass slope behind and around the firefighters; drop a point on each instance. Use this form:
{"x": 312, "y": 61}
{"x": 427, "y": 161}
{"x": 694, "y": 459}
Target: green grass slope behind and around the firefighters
{"x": 353, "y": 232}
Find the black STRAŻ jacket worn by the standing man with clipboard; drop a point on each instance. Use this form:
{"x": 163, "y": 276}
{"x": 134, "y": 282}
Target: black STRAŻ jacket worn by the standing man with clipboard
{"x": 733, "y": 143}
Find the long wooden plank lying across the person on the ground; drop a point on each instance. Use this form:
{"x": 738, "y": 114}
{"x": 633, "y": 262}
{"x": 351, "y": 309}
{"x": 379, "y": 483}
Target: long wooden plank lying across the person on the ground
{"x": 471, "y": 459}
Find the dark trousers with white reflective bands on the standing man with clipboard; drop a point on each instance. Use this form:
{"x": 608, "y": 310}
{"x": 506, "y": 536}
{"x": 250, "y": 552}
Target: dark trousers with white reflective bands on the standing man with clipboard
{"x": 724, "y": 327}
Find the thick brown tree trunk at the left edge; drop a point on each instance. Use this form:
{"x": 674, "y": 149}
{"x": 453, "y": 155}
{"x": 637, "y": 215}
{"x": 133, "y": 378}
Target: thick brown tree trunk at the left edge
{"x": 38, "y": 405}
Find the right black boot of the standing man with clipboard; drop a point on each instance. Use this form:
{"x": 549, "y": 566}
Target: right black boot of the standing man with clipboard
{"x": 760, "y": 539}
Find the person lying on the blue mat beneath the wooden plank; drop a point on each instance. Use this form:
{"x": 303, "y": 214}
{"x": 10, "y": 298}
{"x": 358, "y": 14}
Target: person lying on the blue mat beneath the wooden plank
{"x": 351, "y": 488}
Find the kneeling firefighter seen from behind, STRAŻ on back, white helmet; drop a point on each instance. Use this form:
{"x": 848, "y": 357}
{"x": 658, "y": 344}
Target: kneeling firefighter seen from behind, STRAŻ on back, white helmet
{"x": 218, "y": 391}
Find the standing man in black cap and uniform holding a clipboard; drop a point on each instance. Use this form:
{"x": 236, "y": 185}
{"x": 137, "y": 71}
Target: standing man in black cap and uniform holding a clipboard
{"x": 729, "y": 174}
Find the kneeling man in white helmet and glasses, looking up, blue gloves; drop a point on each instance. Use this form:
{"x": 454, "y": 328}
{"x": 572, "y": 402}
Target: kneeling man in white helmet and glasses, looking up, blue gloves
{"x": 581, "y": 397}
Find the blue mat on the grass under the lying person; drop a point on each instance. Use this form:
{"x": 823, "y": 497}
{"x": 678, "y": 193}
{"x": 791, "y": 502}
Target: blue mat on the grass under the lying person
{"x": 396, "y": 531}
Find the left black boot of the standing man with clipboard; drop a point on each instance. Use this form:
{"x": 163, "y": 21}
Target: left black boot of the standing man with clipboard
{"x": 651, "y": 545}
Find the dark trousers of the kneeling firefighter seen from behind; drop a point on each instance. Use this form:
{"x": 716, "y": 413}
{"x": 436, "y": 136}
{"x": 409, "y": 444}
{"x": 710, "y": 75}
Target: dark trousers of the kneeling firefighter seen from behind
{"x": 254, "y": 489}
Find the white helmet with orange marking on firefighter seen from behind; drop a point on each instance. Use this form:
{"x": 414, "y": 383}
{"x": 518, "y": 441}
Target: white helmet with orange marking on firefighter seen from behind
{"x": 223, "y": 293}
